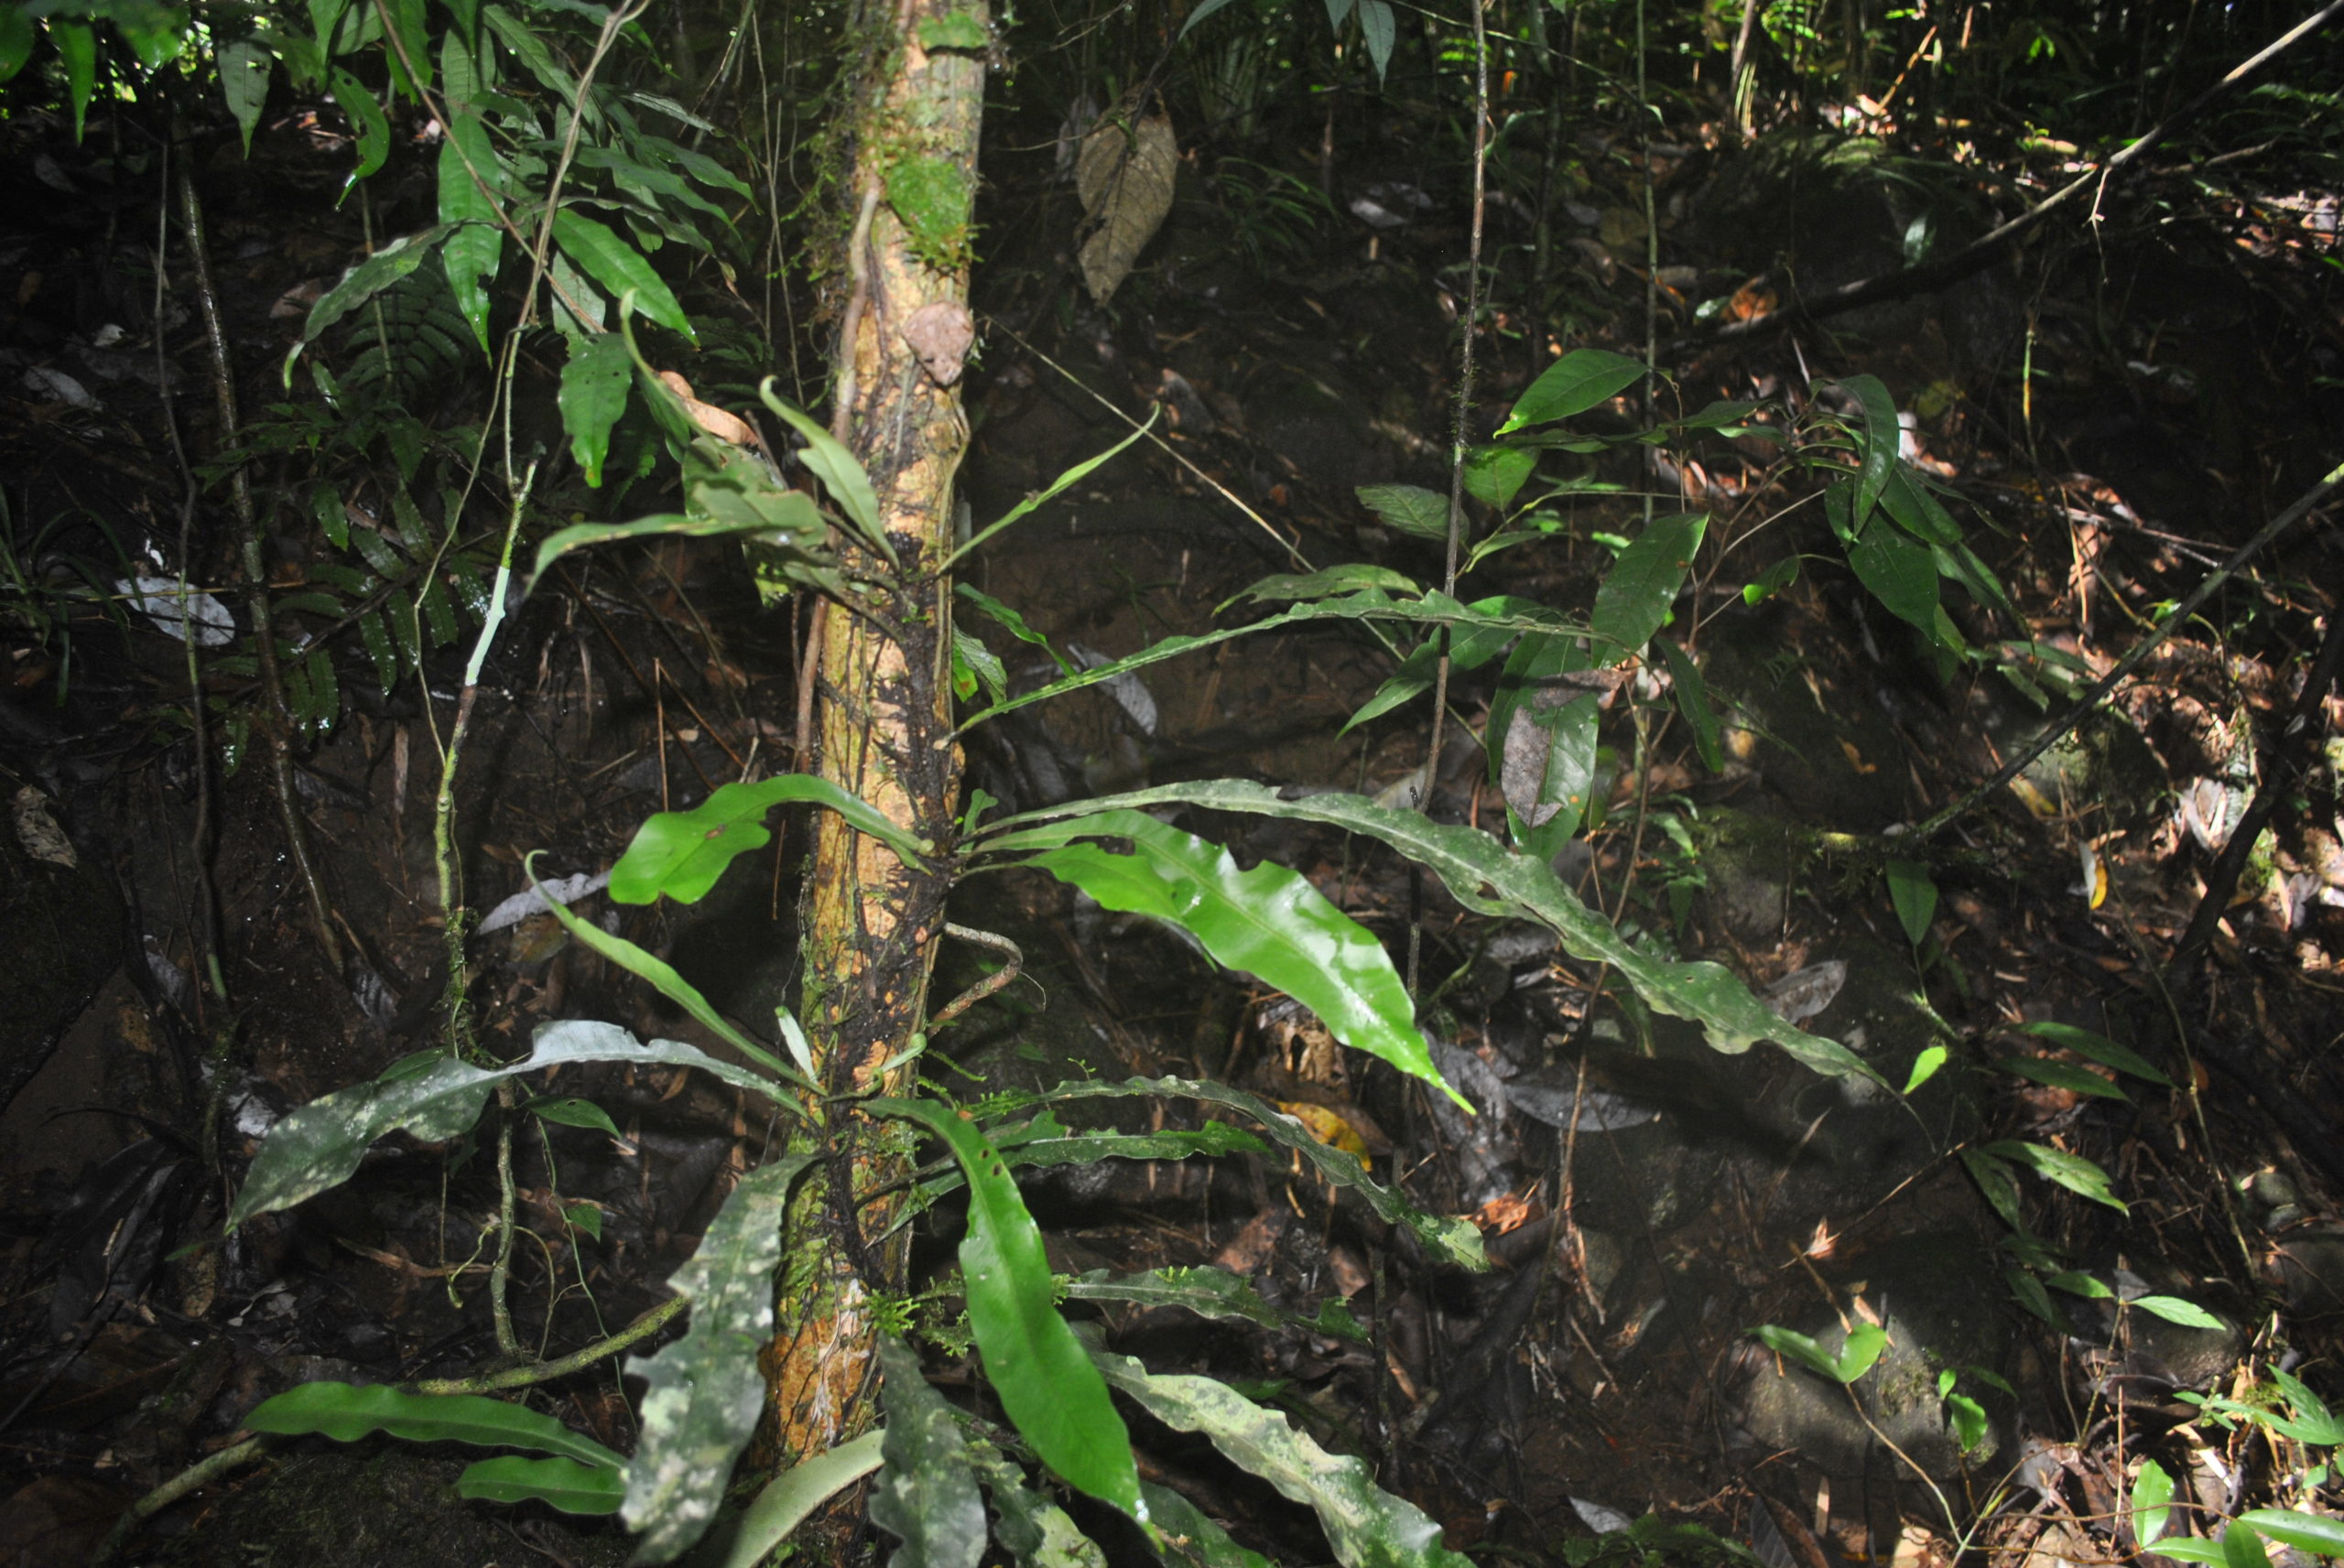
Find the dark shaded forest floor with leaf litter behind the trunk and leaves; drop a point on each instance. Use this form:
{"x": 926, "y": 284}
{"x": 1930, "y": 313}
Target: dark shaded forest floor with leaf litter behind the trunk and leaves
{"x": 2118, "y": 416}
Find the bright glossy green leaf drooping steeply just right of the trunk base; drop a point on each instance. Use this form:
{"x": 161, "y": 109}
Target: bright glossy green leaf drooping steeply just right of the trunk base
{"x": 1047, "y": 1384}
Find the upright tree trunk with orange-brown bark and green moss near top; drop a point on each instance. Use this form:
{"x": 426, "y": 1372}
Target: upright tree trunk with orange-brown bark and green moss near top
{"x": 885, "y": 725}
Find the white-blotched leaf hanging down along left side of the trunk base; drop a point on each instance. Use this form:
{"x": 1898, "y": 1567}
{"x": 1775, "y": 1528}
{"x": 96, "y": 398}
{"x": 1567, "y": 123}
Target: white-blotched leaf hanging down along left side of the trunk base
{"x": 702, "y": 1393}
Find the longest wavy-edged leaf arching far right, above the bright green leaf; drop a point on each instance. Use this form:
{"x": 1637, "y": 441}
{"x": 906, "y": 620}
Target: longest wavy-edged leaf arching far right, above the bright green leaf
{"x": 1494, "y": 880}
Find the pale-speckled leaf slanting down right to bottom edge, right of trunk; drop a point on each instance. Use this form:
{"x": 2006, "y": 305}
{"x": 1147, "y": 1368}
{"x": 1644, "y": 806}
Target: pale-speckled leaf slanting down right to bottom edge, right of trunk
{"x": 1365, "y": 1525}
